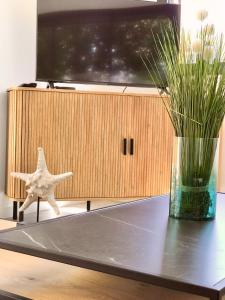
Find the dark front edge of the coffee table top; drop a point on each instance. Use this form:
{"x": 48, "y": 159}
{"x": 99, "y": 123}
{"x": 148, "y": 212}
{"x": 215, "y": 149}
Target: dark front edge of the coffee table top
{"x": 212, "y": 292}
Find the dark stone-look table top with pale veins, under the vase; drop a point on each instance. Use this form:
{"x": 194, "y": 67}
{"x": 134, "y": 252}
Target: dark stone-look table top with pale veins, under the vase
{"x": 135, "y": 240}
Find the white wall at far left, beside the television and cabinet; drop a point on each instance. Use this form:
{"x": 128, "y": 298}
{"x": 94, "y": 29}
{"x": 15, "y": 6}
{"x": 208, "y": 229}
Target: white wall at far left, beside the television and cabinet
{"x": 17, "y": 61}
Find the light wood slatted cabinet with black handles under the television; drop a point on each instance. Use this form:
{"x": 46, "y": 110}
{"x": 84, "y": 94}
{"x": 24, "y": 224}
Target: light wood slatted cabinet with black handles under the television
{"x": 84, "y": 132}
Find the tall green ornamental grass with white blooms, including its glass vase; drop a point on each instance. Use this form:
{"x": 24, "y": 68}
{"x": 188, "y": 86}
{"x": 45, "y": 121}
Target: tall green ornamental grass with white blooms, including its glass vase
{"x": 195, "y": 82}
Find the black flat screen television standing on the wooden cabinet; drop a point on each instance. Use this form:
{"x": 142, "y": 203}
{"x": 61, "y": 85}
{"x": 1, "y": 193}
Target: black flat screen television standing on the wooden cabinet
{"x": 100, "y": 41}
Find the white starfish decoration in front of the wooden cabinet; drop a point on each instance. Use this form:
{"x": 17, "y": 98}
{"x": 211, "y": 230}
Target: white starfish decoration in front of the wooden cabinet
{"x": 41, "y": 183}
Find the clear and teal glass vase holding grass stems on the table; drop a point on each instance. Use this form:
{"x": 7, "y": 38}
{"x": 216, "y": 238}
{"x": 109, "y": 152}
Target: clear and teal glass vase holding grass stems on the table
{"x": 194, "y": 178}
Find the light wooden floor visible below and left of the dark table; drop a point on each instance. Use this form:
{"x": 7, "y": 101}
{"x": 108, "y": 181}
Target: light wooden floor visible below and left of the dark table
{"x": 40, "y": 279}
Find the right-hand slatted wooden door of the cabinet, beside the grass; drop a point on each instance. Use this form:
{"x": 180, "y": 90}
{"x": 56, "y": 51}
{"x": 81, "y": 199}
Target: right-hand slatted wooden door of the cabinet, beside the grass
{"x": 152, "y": 134}
